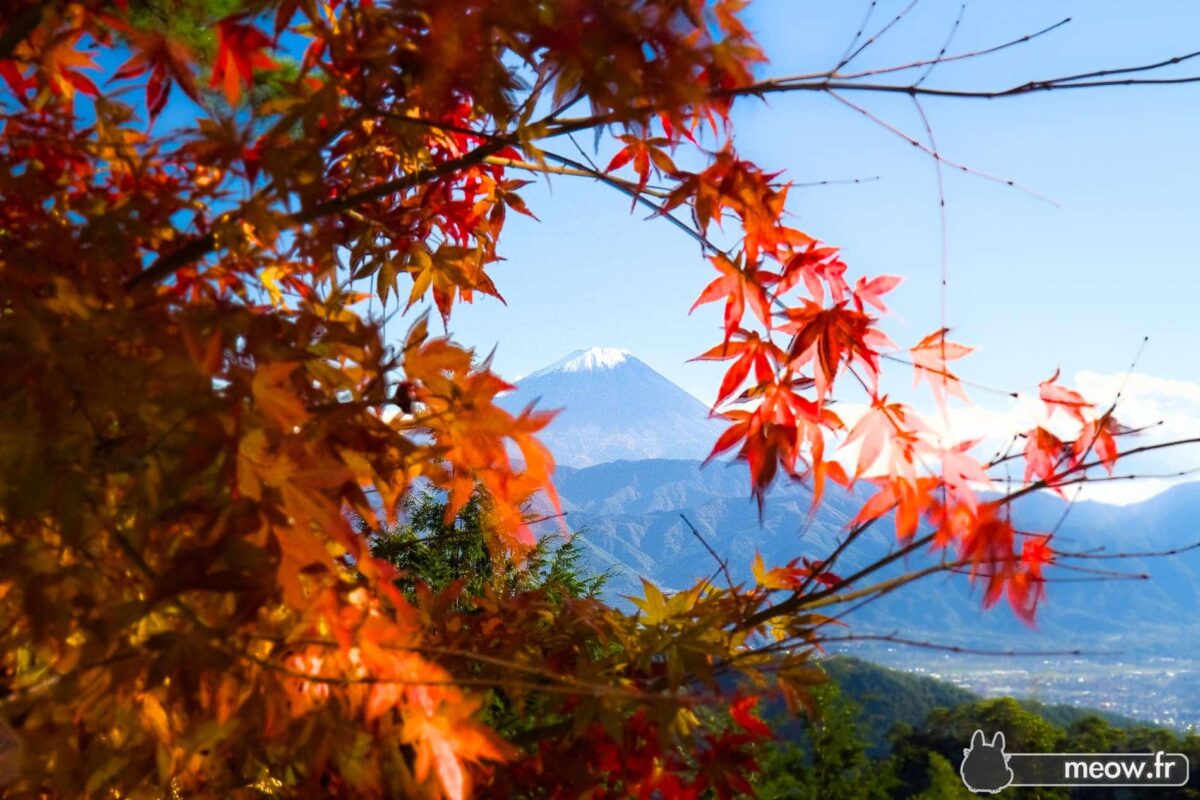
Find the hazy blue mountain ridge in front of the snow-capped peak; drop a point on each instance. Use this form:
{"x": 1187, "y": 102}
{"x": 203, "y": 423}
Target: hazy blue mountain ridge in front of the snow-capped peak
{"x": 632, "y": 515}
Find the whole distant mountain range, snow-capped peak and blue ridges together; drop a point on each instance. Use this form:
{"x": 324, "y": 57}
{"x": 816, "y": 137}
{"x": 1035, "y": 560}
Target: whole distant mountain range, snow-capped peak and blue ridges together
{"x": 629, "y": 442}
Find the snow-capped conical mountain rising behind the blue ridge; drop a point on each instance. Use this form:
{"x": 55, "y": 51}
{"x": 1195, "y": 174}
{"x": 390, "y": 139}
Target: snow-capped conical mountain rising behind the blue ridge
{"x": 615, "y": 408}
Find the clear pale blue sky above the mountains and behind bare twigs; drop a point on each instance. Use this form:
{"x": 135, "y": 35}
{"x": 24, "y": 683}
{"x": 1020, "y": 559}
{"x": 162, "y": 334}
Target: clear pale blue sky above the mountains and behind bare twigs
{"x": 1035, "y": 286}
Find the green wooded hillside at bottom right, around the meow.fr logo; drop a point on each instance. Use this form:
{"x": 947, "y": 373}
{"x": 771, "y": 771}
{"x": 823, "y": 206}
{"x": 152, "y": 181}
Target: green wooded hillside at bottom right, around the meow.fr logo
{"x": 883, "y": 733}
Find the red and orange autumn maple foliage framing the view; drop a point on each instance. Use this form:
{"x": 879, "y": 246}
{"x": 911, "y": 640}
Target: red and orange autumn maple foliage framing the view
{"x": 196, "y": 398}
